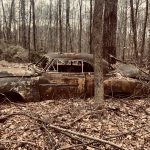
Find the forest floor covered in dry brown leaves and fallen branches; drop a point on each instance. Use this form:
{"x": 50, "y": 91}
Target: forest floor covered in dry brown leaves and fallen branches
{"x": 65, "y": 124}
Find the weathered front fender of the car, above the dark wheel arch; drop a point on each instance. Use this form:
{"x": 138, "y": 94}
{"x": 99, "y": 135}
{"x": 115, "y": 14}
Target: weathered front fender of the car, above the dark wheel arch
{"x": 27, "y": 87}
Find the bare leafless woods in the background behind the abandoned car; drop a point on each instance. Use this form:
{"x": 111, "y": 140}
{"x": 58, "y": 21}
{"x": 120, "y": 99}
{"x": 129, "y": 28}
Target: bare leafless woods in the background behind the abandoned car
{"x": 66, "y": 26}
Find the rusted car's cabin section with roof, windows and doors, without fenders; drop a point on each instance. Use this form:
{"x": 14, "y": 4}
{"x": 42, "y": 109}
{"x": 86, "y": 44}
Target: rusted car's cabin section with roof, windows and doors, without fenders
{"x": 68, "y": 75}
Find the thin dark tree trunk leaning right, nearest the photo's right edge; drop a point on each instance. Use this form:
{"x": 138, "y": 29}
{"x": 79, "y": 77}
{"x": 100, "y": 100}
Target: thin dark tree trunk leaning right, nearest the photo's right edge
{"x": 144, "y": 32}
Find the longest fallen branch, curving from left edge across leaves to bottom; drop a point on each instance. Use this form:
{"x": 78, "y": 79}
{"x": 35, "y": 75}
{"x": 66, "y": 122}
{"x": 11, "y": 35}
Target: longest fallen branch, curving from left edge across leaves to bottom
{"x": 62, "y": 130}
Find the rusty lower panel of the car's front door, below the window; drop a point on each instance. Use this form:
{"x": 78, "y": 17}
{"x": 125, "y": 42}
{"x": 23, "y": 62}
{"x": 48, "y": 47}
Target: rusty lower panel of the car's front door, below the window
{"x": 61, "y": 85}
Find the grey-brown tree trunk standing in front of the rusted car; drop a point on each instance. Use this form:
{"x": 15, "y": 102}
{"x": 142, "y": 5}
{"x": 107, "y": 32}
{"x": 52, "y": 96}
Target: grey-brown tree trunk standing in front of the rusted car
{"x": 97, "y": 47}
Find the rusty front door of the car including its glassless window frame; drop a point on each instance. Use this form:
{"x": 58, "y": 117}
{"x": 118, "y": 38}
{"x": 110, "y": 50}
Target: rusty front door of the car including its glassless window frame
{"x": 63, "y": 79}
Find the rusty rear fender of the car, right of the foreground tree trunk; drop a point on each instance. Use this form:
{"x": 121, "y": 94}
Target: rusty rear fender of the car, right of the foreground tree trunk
{"x": 126, "y": 86}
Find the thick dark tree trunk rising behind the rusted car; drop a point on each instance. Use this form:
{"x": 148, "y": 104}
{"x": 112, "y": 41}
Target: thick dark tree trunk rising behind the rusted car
{"x": 109, "y": 30}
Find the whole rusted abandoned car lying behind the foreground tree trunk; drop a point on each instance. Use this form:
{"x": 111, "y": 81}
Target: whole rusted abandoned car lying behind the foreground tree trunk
{"x": 57, "y": 76}
